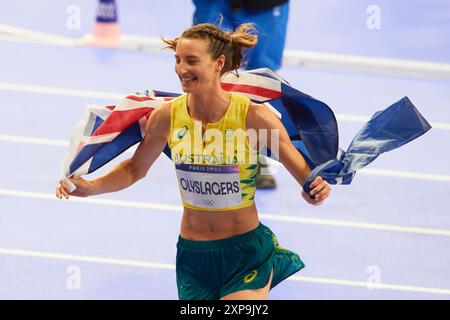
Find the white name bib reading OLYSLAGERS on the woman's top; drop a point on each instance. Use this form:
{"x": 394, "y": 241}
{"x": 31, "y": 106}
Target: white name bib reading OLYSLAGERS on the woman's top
{"x": 209, "y": 187}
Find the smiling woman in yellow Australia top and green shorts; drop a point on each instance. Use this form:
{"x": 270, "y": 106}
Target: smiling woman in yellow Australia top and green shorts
{"x": 224, "y": 252}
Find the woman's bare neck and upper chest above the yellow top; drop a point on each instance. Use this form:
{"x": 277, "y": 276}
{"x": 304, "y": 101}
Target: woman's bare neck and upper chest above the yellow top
{"x": 208, "y": 107}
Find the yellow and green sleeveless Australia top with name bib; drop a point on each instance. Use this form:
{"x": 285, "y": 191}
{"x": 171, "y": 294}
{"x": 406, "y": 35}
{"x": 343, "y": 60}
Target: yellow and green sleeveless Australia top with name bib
{"x": 216, "y": 168}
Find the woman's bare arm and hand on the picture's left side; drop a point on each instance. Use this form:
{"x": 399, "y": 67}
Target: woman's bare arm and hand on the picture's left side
{"x": 129, "y": 171}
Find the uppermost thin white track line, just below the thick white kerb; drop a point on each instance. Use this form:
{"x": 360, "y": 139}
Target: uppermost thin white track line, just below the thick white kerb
{"x": 117, "y": 97}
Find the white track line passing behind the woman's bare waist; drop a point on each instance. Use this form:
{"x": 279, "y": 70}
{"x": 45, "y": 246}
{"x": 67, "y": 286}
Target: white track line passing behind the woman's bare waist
{"x": 273, "y": 217}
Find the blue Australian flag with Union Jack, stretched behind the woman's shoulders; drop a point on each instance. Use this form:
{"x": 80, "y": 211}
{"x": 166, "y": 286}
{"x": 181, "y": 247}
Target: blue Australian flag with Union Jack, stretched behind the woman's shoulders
{"x": 106, "y": 132}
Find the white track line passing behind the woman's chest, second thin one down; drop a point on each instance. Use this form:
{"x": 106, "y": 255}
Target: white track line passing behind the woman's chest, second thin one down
{"x": 368, "y": 171}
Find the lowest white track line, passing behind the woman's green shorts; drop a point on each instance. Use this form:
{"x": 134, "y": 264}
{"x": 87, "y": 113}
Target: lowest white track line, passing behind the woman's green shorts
{"x": 166, "y": 266}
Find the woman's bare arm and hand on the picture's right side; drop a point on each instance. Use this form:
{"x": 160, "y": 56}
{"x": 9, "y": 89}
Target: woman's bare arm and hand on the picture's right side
{"x": 260, "y": 117}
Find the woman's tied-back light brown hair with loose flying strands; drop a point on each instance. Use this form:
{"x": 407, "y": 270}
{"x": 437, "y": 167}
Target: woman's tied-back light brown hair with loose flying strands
{"x": 230, "y": 44}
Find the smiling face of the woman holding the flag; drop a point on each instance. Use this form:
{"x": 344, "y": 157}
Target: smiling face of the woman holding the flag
{"x": 194, "y": 65}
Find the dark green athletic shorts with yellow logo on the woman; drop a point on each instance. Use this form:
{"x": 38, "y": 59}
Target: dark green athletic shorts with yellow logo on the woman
{"x": 209, "y": 270}
